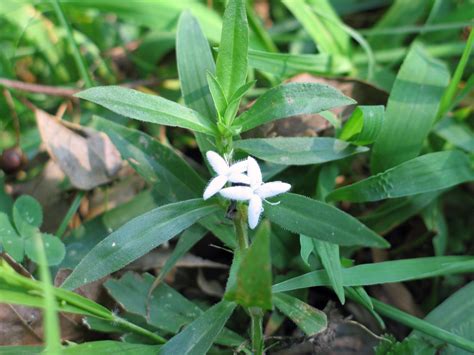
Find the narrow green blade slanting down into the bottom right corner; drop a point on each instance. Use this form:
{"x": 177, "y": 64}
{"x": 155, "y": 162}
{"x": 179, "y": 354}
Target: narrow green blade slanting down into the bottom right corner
{"x": 422, "y": 326}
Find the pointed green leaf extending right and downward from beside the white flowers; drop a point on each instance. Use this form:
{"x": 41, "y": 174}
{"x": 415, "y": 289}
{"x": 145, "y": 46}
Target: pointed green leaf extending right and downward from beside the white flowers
{"x": 315, "y": 219}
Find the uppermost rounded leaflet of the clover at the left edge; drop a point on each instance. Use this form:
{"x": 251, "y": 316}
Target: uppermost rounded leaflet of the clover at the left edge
{"x": 27, "y": 215}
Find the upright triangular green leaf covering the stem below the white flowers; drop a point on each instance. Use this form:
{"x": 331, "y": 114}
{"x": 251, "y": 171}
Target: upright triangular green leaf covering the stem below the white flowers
{"x": 251, "y": 288}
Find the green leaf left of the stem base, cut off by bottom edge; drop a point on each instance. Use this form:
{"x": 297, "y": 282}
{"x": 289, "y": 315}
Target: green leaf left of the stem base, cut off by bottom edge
{"x": 197, "y": 337}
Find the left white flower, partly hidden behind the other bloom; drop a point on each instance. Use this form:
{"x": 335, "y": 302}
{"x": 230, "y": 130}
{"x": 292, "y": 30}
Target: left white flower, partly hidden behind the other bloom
{"x": 225, "y": 173}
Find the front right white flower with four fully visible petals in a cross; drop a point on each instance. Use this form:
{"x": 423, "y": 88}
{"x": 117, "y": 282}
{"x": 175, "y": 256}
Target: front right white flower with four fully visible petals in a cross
{"x": 256, "y": 192}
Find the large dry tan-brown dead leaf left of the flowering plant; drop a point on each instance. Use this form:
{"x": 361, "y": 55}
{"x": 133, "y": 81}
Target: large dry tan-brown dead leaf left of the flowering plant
{"x": 86, "y": 156}
